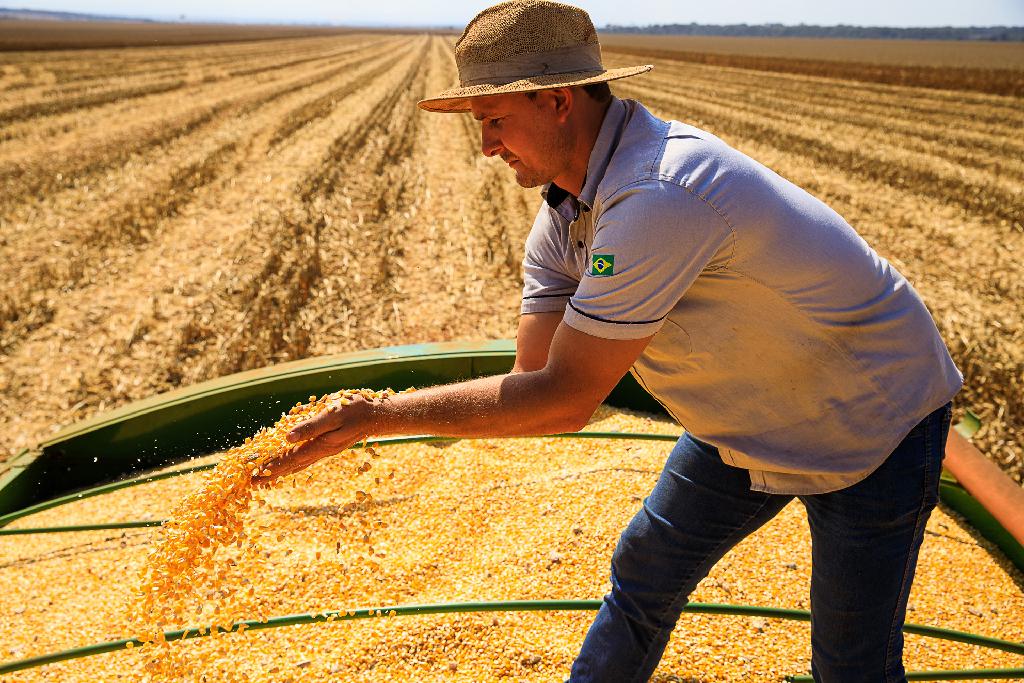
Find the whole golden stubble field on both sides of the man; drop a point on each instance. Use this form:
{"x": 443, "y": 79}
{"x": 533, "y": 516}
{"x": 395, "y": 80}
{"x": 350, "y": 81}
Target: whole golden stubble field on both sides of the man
{"x": 290, "y": 201}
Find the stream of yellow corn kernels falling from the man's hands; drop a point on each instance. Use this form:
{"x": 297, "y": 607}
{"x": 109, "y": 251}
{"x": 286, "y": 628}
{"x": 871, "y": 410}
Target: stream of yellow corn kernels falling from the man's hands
{"x": 183, "y": 584}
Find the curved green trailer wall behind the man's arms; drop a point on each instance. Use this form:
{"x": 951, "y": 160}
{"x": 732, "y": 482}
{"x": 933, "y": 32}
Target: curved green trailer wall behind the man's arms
{"x": 211, "y": 416}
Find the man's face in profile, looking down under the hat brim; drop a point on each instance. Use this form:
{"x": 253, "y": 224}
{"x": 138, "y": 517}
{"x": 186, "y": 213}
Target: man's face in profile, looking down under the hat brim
{"x": 526, "y": 134}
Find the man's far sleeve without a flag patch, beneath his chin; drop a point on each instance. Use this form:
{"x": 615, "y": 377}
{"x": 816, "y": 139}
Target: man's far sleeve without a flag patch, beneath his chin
{"x": 547, "y": 282}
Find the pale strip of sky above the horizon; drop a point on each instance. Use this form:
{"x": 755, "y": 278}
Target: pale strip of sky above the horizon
{"x": 631, "y": 13}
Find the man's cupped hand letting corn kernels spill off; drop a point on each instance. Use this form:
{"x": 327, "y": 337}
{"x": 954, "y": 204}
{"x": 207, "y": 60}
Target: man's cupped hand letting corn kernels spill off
{"x": 330, "y": 433}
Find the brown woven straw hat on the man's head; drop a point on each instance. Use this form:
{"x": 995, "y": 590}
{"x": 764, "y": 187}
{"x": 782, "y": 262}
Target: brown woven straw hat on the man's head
{"x": 526, "y": 46}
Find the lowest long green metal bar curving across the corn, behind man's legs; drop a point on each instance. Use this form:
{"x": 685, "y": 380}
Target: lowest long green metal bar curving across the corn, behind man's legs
{"x": 502, "y": 607}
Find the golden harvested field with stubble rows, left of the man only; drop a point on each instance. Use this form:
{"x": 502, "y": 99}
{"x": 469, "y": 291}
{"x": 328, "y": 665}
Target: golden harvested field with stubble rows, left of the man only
{"x": 287, "y": 200}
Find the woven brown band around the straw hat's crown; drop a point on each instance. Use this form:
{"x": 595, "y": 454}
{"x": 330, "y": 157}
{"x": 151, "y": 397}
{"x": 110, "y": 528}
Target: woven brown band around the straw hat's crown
{"x": 564, "y": 61}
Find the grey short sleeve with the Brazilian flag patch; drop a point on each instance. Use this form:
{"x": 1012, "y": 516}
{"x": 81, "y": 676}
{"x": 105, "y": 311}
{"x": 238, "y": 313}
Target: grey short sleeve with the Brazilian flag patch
{"x": 652, "y": 241}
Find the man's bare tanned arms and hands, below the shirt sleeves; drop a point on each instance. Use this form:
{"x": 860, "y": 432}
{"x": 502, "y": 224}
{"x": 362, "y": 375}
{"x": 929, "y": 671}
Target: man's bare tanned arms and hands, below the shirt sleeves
{"x": 561, "y": 396}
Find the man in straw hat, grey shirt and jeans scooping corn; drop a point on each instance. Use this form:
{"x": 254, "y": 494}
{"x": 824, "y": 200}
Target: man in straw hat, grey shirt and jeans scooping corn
{"x": 799, "y": 362}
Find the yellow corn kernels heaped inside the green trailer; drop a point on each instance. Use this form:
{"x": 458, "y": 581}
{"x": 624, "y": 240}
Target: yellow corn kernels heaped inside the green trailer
{"x": 495, "y": 520}
